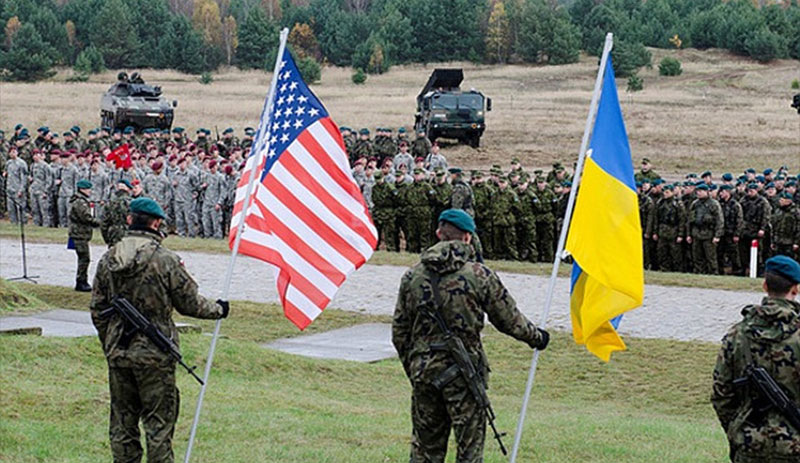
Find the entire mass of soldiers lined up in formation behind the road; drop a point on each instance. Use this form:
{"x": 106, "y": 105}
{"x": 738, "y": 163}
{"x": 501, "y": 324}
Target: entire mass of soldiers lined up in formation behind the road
{"x": 702, "y": 224}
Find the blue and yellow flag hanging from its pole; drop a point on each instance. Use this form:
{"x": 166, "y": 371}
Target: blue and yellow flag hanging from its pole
{"x": 605, "y": 235}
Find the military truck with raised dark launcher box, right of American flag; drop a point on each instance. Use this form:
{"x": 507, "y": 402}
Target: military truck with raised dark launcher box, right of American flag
{"x": 444, "y": 110}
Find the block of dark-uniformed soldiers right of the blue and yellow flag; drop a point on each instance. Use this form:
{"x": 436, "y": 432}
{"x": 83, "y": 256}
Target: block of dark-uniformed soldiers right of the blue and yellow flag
{"x": 708, "y": 224}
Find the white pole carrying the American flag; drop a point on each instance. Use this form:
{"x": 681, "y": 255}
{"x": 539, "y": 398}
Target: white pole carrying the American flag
{"x": 240, "y": 228}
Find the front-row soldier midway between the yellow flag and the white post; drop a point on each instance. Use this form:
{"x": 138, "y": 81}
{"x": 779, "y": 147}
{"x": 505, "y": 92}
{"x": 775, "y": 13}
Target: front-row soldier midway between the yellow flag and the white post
{"x": 705, "y": 227}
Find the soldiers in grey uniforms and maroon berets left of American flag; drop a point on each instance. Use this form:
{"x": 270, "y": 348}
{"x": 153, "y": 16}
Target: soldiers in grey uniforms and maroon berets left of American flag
{"x": 194, "y": 181}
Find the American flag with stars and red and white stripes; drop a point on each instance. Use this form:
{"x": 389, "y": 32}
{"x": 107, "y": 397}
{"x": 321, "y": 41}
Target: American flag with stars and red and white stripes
{"x": 307, "y": 216}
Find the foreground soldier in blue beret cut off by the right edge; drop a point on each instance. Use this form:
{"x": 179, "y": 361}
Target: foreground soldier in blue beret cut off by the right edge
{"x": 767, "y": 337}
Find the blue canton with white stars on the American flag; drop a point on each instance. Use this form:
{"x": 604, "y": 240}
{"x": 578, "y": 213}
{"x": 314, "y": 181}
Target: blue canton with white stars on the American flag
{"x": 295, "y": 108}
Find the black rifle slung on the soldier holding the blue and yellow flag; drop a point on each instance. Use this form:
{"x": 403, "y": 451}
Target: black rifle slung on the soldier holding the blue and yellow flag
{"x": 463, "y": 363}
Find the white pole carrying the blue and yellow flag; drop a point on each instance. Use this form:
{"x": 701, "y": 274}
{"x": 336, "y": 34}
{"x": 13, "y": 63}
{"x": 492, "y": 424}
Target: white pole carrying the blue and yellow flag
{"x": 563, "y": 238}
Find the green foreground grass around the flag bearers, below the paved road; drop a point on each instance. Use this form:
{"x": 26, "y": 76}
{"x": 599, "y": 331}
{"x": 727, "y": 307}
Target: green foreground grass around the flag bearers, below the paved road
{"x": 649, "y": 404}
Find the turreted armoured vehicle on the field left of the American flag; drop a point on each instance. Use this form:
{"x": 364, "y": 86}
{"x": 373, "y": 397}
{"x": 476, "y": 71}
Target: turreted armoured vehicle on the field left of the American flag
{"x": 132, "y": 102}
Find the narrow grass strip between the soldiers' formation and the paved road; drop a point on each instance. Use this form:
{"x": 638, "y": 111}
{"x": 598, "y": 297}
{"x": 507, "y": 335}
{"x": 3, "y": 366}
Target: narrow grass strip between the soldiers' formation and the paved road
{"x": 35, "y": 234}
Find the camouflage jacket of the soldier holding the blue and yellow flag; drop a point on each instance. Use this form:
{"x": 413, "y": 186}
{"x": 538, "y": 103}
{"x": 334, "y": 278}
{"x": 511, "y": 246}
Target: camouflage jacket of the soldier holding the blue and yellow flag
{"x": 468, "y": 290}
